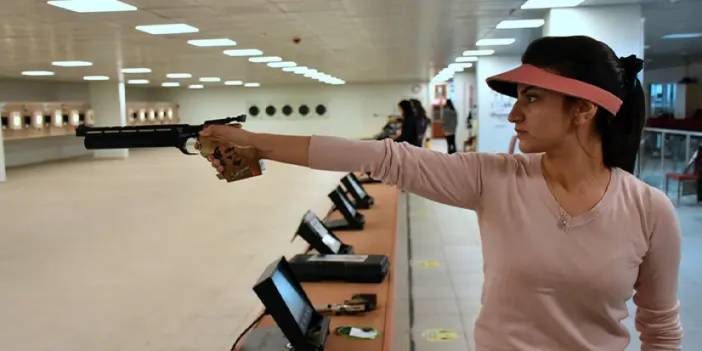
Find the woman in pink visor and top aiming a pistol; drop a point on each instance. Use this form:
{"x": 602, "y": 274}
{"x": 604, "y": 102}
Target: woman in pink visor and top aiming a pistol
{"x": 568, "y": 234}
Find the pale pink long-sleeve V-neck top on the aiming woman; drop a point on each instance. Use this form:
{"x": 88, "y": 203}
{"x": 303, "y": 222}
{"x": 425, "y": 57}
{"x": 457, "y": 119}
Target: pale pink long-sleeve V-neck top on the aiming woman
{"x": 551, "y": 282}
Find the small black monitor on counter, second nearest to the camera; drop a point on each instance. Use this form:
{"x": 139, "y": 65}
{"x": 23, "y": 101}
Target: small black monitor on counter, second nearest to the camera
{"x": 320, "y": 237}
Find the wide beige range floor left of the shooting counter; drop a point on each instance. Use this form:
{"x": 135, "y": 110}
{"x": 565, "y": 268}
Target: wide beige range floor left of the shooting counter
{"x": 149, "y": 253}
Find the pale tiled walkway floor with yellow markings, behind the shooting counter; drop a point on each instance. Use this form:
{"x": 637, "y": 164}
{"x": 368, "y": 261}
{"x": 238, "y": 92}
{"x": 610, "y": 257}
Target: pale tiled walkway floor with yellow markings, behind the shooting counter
{"x": 447, "y": 274}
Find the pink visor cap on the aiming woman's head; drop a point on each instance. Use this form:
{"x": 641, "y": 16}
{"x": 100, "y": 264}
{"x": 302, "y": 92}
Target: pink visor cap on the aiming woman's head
{"x": 506, "y": 83}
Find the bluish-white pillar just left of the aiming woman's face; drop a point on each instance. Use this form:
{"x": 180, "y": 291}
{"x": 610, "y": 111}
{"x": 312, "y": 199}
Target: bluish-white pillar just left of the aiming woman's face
{"x": 494, "y": 131}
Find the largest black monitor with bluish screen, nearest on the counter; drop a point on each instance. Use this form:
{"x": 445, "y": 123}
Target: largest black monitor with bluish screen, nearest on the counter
{"x": 292, "y": 310}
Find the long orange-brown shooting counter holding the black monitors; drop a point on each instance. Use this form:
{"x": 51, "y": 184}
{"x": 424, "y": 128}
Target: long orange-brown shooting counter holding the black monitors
{"x": 384, "y": 233}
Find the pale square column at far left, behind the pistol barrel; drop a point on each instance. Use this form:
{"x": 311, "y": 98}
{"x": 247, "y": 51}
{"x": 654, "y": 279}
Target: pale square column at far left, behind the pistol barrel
{"x": 108, "y": 101}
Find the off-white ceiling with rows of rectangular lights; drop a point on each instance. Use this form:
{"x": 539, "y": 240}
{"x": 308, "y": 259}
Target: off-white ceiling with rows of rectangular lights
{"x": 355, "y": 40}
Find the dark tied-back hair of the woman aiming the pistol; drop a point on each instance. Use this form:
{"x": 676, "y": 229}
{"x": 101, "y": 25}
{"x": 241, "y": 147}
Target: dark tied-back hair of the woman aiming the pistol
{"x": 591, "y": 61}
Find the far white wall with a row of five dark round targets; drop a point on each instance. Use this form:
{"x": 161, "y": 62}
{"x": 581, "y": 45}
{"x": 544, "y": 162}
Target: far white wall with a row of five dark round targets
{"x": 354, "y": 110}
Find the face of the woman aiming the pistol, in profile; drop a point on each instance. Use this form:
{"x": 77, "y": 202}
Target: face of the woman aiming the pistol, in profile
{"x": 540, "y": 119}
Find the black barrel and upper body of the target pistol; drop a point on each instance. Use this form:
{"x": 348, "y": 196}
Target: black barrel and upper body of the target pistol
{"x": 163, "y": 135}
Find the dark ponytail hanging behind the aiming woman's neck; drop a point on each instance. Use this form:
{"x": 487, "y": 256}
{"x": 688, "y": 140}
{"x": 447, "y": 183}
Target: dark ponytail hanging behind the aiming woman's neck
{"x": 621, "y": 134}
